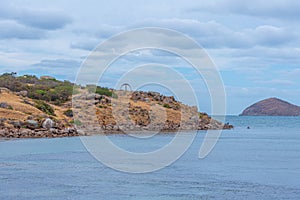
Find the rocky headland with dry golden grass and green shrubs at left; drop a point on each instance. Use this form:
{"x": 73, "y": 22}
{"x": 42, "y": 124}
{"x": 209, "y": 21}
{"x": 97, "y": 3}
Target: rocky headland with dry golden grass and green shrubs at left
{"x": 32, "y": 107}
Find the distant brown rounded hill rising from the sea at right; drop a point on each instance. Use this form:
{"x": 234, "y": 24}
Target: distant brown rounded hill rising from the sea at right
{"x": 272, "y": 107}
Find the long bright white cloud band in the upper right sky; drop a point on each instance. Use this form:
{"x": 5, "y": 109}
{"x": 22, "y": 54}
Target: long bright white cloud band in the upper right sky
{"x": 212, "y": 34}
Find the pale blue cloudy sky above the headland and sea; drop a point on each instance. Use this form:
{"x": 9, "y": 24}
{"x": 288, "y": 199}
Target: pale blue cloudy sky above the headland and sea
{"x": 254, "y": 44}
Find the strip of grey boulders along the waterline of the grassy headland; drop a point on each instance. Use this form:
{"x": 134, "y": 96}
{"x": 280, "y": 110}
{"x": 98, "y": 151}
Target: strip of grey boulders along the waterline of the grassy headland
{"x": 49, "y": 130}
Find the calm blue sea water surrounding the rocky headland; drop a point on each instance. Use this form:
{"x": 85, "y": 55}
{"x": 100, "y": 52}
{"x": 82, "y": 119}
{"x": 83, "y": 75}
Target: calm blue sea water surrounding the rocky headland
{"x": 262, "y": 162}
